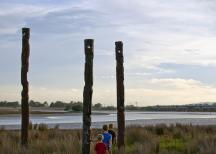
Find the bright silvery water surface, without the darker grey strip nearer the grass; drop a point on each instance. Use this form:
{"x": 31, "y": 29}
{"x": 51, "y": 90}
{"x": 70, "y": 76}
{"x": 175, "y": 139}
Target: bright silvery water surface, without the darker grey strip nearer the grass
{"x": 111, "y": 116}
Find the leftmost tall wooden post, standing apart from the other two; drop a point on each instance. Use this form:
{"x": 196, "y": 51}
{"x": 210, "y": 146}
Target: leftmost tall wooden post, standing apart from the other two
{"x": 24, "y": 82}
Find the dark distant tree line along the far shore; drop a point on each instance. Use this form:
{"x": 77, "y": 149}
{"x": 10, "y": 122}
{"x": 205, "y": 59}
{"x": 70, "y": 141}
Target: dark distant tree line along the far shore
{"x": 78, "y": 106}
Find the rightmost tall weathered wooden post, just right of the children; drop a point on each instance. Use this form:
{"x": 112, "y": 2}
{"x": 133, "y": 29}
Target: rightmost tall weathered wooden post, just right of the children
{"x": 120, "y": 95}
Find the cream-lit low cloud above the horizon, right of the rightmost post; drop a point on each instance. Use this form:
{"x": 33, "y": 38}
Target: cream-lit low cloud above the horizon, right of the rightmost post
{"x": 171, "y": 91}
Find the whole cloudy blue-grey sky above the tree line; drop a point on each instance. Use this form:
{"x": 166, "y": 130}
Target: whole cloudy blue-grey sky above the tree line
{"x": 169, "y": 49}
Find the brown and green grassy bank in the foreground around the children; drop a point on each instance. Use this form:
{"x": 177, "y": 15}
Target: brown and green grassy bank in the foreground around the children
{"x": 139, "y": 140}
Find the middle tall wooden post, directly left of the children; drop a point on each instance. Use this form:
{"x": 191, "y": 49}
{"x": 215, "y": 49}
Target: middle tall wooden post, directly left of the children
{"x": 87, "y": 94}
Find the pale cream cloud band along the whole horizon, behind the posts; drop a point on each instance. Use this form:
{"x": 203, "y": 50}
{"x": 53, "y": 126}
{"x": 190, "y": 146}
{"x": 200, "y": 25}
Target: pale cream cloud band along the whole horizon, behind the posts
{"x": 151, "y": 92}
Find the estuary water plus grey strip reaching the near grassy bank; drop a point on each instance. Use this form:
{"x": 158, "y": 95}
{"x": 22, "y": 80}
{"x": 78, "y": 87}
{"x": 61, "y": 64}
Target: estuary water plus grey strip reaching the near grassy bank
{"x": 74, "y": 120}
